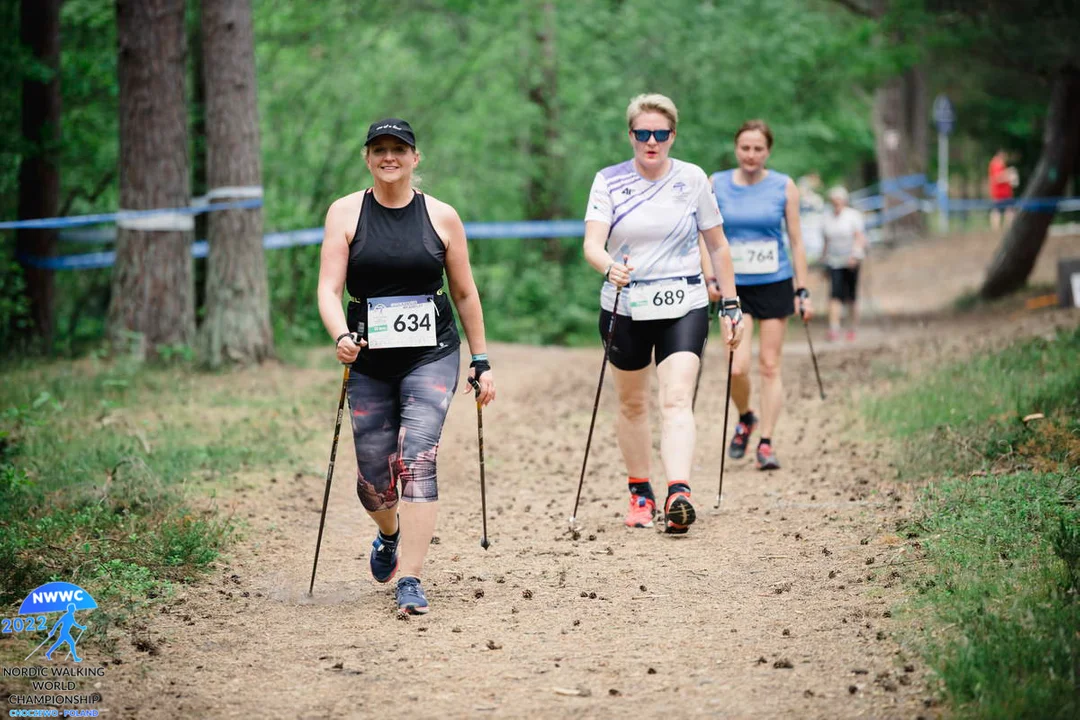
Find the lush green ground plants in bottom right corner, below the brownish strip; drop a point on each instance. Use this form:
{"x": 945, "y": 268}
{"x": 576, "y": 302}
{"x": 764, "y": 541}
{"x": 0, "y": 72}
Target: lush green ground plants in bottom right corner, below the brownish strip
{"x": 1003, "y": 593}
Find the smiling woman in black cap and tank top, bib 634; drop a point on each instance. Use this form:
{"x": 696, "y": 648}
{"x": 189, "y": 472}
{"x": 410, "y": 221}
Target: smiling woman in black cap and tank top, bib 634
{"x": 390, "y": 246}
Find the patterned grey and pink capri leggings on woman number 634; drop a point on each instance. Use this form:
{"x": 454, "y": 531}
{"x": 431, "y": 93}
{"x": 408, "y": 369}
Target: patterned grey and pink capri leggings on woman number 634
{"x": 396, "y": 427}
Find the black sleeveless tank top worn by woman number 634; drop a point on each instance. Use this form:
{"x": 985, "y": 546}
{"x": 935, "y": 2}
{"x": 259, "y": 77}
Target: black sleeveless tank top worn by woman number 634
{"x": 396, "y": 251}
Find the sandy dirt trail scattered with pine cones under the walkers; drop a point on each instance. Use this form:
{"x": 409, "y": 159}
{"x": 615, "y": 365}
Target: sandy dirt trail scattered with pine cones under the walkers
{"x": 778, "y": 605}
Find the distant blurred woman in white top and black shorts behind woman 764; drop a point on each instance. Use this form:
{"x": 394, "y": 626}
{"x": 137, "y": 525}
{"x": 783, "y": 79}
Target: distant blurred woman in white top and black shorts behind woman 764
{"x": 845, "y": 249}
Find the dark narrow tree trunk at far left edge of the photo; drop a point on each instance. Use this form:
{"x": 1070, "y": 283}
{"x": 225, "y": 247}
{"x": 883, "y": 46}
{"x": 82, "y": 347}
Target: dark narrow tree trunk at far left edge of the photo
{"x": 39, "y": 181}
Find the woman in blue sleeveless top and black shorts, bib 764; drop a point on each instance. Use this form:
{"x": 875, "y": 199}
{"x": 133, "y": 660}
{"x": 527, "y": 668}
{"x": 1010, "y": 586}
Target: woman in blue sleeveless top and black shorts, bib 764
{"x": 757, "y": 203}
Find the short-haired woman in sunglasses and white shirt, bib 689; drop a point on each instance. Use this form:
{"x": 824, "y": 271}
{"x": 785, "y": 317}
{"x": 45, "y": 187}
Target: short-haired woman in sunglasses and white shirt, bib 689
{"x": 651, "y": 211}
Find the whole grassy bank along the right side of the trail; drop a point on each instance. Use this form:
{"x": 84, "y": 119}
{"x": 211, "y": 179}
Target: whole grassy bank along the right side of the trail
{"x": 1001, "y": 526}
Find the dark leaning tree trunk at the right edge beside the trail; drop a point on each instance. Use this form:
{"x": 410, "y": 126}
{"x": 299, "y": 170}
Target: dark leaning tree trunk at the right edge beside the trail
{"x": 1061, "y": 146}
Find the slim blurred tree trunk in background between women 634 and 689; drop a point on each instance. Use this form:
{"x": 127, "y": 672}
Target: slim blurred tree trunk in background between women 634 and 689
{"x": 544, "y": 191}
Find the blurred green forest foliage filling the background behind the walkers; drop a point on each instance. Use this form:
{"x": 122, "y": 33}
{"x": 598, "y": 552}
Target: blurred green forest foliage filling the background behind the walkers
{"x": 517, "y": 105}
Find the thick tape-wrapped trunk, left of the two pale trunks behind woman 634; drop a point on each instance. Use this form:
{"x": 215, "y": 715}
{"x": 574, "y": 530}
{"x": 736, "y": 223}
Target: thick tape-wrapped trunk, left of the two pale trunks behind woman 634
{"x": 153, "y": 292}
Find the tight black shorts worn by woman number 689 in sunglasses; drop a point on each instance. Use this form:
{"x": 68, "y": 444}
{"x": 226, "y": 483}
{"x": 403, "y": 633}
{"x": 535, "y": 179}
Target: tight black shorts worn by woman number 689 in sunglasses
{"x": 634, "y": 342}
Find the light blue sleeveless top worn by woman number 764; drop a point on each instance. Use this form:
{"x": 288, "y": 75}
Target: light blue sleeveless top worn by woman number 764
{"x": 755, "y": 213}
